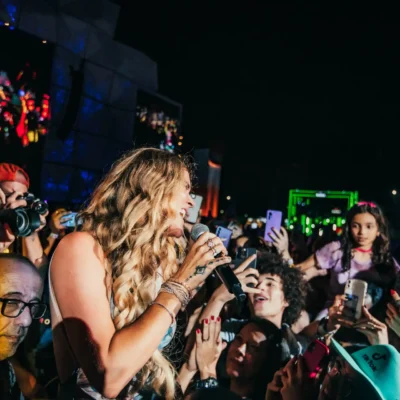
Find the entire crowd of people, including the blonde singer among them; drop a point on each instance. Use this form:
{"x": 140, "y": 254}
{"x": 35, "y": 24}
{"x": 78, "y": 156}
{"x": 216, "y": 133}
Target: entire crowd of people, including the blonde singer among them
{"x": 121, "y": 302}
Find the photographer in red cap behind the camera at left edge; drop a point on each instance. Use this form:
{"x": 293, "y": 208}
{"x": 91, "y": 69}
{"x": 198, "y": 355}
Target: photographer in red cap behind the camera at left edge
{"x": 14, "y": 184}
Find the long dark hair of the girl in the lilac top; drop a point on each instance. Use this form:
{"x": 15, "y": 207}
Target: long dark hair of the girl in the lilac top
{"x": 381, "y": 247}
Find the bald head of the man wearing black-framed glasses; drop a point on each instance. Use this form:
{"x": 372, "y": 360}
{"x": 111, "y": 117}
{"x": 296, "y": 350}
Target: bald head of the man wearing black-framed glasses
{"x": 19, "y": 282}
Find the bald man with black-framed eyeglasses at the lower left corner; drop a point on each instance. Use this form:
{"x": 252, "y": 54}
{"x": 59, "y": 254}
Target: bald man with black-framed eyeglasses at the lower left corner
{"x": 21, "y": 290}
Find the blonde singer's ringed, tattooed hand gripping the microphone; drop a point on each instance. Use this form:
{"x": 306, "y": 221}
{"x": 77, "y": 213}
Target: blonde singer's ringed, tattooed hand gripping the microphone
{"x": 200, "y": 260}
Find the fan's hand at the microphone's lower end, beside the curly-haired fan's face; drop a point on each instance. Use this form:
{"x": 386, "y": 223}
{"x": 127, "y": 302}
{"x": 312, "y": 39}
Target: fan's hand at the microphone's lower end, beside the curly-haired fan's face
{"x": 245, "y": 276}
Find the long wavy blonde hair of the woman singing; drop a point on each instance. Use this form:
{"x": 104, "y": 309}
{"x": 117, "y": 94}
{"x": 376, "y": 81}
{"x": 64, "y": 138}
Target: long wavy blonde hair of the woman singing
{"x": 128, "y": 214}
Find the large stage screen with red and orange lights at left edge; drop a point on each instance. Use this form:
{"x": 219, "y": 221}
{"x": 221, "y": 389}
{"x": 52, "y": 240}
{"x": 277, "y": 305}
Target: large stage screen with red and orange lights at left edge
{"x": 25, "y": 76}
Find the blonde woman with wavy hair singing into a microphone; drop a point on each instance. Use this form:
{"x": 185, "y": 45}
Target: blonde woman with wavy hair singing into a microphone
{"x": 117, "y": 285}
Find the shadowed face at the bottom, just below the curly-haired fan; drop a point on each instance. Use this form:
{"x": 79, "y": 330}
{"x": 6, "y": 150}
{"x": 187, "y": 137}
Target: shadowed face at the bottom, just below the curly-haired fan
{"x": 246, "y": 353}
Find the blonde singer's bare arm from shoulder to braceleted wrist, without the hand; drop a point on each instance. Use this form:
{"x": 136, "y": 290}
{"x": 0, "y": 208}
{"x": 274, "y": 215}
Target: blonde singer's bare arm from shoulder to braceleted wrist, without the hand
{"x": 108, "y": 357}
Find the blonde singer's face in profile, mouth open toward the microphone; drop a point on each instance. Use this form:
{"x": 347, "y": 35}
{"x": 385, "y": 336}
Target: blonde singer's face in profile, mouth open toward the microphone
{"x": 180, "y": 202}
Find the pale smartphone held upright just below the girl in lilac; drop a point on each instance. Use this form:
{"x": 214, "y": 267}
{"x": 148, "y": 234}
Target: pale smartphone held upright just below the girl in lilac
{"x": 355, "y": 292}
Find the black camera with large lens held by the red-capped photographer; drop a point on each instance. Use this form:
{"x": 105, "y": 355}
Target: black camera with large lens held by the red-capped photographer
{"x": 23, "y": 221}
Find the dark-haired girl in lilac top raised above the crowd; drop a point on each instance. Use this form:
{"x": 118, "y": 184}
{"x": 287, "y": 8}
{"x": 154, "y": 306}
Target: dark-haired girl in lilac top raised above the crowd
{"x": 363, "y": 253}
